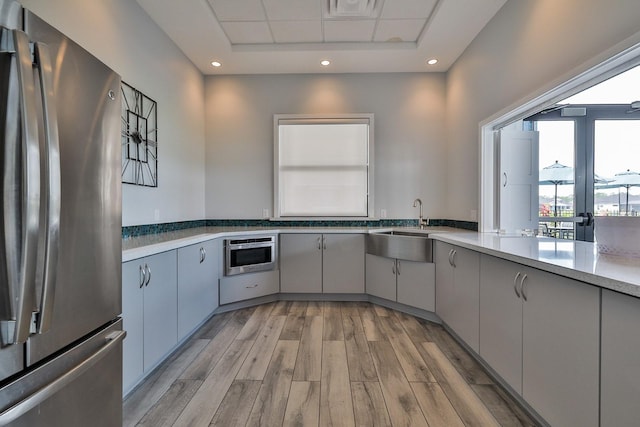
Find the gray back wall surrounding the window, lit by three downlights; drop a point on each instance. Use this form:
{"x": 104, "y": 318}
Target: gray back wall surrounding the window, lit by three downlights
{"x": 409, "y": 136}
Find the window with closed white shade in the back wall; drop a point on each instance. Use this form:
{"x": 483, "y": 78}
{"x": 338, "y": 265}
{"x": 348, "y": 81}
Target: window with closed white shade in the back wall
{"x": 323, "y": 166}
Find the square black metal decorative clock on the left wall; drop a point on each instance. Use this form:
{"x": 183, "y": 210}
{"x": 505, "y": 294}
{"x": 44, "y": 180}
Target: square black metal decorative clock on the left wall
{"x": 139, "y": 138}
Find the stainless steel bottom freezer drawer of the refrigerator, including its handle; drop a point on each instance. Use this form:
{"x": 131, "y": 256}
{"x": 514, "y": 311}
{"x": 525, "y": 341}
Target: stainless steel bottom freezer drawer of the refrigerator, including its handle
{"x": 80, "y": 387}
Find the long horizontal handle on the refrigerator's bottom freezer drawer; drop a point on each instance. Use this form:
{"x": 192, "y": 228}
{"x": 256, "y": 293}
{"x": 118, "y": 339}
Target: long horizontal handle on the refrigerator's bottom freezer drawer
{"x": 48, "y": 390}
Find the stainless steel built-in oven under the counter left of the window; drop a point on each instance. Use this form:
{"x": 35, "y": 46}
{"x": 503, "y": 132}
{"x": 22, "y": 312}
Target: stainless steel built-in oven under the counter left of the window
{"x": 251, "y": 254}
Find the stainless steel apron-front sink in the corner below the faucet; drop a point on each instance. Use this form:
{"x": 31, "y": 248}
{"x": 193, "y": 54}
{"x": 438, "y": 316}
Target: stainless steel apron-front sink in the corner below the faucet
{"x": 406, "y": 245}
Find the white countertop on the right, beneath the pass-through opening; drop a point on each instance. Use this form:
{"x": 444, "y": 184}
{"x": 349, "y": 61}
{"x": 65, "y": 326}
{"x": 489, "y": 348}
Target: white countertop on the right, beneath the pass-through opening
{"x": 573, "y": 259}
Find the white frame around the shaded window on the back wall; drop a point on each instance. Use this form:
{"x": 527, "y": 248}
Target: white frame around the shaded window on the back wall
{"x": 316, "y": 119}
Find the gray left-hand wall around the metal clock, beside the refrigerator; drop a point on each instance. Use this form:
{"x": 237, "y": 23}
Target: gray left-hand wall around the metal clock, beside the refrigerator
{"x": 123, "y": 36}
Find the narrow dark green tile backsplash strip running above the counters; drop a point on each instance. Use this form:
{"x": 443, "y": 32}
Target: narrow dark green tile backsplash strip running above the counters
{"x": 142, "y": 230}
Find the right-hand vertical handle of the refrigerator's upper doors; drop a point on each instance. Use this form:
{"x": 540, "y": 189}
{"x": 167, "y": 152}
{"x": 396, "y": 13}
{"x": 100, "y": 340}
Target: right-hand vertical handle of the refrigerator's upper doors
{"x": 50, "y": 221}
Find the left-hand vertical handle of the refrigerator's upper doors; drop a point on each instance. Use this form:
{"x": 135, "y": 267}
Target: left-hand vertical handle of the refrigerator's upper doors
{"x": 22, "y": 194}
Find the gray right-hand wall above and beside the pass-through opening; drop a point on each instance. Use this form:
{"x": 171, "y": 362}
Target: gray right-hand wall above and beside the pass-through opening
{"x": 527, "y": 45}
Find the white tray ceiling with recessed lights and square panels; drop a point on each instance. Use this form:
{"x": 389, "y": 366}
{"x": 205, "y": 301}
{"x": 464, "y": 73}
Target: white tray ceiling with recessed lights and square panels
{"x": 293, "y": 36}
